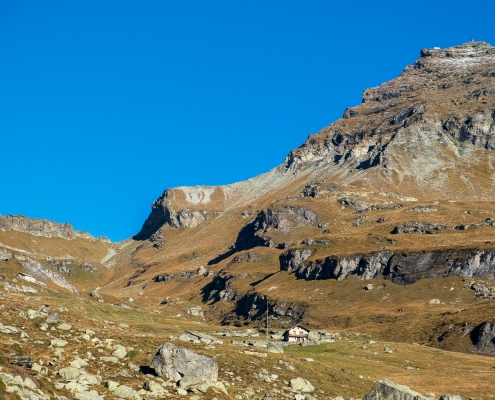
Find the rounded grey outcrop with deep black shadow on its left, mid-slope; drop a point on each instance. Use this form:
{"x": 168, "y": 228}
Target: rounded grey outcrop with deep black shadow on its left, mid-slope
{"x": 284, "y": 219}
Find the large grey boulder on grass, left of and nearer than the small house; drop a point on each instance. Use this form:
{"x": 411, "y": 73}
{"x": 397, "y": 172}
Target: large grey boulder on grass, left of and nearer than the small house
{"x": 178, "y": 362}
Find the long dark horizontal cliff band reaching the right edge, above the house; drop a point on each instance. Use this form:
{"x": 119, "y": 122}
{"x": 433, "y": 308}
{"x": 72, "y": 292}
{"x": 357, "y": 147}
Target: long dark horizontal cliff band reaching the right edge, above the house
{"x": 400, "y": 268}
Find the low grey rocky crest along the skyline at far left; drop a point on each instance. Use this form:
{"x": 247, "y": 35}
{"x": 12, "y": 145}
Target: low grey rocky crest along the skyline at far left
{"x": 42, "y": 227}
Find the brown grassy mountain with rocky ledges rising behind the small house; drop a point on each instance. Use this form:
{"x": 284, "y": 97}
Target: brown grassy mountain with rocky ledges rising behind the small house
{"x": 382, "y": 222}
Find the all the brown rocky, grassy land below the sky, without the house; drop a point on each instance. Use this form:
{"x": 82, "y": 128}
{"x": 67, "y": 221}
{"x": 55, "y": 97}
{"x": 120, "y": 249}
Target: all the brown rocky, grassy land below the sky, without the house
{"x": 376, "y": 234}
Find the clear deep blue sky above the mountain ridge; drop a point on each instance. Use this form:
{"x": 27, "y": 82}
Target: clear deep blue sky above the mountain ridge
{"x": 104, "y": 104}
